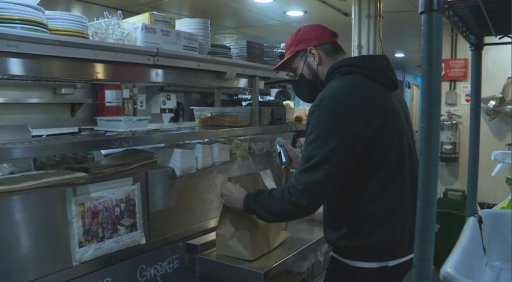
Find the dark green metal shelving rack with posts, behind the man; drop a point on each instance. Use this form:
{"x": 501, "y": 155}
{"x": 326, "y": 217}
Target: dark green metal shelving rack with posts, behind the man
{"x": 474, "y": 19}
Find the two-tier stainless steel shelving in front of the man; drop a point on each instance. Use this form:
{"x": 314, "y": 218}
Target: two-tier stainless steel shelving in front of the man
{"x": 37, "y": 57}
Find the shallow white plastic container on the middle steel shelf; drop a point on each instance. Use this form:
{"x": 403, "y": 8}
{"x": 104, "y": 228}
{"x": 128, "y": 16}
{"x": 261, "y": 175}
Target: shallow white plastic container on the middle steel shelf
{"x": 122, "y": 123}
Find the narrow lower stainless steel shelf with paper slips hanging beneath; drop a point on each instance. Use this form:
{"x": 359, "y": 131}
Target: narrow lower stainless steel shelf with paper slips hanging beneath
{"x": 52, "y": 145}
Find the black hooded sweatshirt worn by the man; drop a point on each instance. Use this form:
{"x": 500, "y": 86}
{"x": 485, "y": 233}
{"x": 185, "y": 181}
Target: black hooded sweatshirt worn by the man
{"x": 359, "y": 161}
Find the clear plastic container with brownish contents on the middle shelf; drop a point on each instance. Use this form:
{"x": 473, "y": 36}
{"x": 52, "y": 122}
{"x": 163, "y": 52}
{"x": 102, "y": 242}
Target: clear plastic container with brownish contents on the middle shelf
{"x": 206, "y": 117}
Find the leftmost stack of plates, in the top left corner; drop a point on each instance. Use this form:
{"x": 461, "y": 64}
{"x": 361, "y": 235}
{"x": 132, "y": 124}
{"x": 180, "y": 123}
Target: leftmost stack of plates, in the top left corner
{"x": 21, "y": 15}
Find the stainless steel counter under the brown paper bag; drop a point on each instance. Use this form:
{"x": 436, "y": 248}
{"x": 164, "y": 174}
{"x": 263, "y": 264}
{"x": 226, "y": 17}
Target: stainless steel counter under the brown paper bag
{"x": 302, "y": 257}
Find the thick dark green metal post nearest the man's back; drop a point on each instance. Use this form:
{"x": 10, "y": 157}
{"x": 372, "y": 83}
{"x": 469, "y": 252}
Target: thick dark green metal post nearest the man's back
{"x": 432, "y": 33}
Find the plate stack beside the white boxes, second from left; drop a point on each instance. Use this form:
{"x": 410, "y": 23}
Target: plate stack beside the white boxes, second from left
{"x": 67, "y": 24}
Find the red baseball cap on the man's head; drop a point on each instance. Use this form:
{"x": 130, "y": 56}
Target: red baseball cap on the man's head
{"x": 304, "y": 37}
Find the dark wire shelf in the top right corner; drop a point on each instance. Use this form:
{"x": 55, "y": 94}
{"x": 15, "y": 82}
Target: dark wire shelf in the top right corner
{"x": 475, "y": 19}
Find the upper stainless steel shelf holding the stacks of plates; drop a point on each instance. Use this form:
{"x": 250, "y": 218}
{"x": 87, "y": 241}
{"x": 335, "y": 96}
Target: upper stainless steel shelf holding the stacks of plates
{"x": 33, "y": 56}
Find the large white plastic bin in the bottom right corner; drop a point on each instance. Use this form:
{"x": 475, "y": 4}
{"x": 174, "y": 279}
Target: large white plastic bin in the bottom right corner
{"x": 467, "y": 261}
